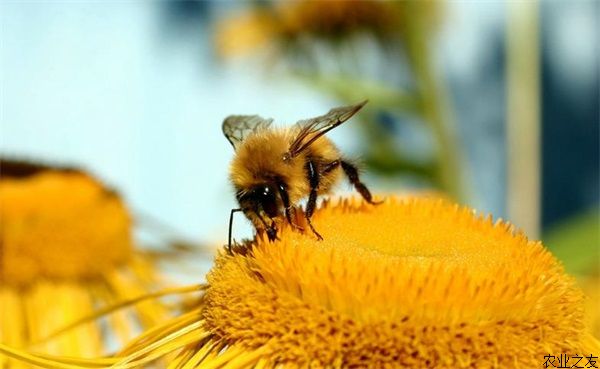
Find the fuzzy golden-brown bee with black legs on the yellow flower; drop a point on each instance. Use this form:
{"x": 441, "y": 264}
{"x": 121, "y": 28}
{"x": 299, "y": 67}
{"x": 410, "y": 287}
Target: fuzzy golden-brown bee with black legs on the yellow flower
{"x": 275, "y": 168}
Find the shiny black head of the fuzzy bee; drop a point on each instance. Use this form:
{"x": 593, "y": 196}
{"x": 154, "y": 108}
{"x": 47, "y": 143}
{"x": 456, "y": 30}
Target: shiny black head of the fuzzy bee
{"x": 260, "y": 200}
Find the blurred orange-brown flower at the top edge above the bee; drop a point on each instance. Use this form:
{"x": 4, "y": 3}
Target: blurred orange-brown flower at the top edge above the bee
{"x": 291, "y": 22}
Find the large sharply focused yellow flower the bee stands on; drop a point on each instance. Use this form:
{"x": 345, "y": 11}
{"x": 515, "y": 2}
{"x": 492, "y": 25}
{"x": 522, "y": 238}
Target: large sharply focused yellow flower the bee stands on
{"x": 417, "y": 283}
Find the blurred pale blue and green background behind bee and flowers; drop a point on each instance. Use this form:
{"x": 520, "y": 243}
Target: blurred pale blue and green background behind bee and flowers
{"x": 495, "y": 104}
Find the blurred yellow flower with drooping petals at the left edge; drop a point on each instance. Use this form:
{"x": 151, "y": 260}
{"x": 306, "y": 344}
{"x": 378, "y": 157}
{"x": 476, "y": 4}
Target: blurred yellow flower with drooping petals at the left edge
{"x": 66, "y": 251}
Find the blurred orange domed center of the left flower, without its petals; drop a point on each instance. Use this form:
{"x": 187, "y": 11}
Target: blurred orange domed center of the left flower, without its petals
{"x": 60, "y": 224}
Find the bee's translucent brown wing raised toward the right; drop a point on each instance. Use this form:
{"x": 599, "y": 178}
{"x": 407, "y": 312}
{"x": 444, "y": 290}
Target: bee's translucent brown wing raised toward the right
{"x": 310, "y": 130}
